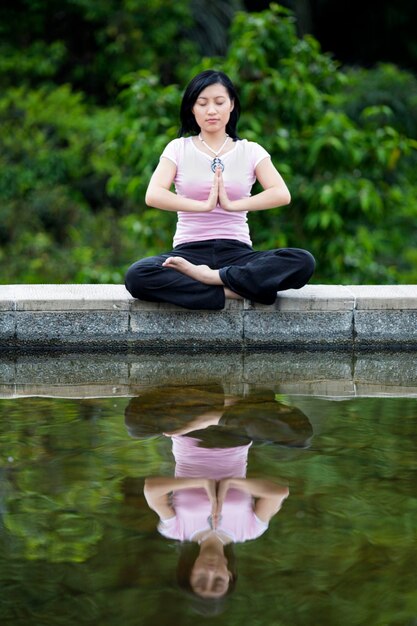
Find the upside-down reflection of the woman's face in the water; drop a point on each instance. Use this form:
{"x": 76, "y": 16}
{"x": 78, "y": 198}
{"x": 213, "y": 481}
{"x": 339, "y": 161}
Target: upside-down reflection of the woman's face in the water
{"x": 210, "y": 577}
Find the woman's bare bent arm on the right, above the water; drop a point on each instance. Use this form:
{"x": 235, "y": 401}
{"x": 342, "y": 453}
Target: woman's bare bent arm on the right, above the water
{"x": 275, "y": 192}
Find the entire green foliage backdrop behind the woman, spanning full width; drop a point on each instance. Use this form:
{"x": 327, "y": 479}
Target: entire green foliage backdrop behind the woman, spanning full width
{"x": 74, "y": 174}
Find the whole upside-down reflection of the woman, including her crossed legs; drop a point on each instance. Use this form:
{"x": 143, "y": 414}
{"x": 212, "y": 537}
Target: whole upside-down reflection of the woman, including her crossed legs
{"x": 210, "y": 504}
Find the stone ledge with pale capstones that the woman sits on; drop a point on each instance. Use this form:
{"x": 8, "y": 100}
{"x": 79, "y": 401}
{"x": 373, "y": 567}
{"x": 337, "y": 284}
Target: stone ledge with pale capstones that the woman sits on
{"x": 106, "y": 316}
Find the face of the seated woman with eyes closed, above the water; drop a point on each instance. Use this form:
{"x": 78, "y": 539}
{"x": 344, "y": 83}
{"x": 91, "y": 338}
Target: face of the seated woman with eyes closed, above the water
{"x": 212, "y": 108}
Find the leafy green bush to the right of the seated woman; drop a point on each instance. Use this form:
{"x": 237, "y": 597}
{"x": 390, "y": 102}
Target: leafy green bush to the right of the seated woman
{"x": 352, "y": 187}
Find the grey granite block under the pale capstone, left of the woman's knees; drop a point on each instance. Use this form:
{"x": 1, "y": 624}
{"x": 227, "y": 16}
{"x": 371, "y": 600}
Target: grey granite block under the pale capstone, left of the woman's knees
{"x": 81, "y": 328}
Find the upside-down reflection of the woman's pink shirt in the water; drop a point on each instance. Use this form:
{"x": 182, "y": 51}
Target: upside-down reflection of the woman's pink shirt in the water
{"x": 192, "y": 506}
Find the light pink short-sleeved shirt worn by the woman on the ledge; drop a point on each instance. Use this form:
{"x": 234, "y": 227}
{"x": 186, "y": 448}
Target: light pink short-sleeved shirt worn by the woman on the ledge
{"x": 194, "y": 178}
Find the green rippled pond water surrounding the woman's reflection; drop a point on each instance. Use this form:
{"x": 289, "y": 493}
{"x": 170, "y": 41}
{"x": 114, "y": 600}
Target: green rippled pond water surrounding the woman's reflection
{"x": 79, "y": 545}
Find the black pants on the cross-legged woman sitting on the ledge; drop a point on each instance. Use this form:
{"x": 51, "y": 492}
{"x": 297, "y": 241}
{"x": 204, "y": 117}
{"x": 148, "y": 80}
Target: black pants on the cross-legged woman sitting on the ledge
{"x": 253, "y": 275}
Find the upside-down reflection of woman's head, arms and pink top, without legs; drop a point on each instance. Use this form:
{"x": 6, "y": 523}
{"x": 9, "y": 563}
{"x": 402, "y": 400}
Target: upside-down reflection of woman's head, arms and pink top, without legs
{"x": 211, "y": 504}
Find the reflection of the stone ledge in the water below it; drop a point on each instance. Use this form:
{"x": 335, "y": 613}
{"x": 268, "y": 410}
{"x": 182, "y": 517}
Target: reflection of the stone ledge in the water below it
{"x": 327, "y": 374}
